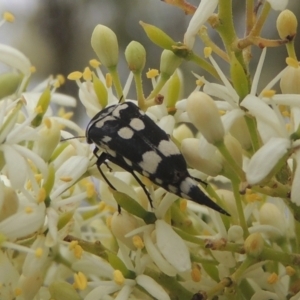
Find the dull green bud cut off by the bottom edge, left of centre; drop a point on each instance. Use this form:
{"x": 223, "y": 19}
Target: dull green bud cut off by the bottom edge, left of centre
{"x": 63, "y": 291}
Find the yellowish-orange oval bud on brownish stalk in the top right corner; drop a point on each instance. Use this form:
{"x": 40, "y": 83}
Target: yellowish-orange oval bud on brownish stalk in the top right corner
{"x": 287, "y": 25}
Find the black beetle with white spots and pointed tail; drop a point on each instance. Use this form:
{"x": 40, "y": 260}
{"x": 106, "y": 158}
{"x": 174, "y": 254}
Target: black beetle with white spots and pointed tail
{"x": 131, "y": 140}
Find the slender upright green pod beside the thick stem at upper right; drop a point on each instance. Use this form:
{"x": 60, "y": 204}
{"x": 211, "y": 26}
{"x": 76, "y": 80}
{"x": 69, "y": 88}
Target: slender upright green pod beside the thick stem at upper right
{"x": 239, "y": 78}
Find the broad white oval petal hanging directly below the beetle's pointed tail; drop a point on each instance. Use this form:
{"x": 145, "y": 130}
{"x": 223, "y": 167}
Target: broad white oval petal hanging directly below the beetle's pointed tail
{"x": 172, "y": 247}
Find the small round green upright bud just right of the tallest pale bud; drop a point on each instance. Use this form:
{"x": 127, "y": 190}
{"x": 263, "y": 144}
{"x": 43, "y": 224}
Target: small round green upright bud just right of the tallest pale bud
{"x": 135, "y": 55}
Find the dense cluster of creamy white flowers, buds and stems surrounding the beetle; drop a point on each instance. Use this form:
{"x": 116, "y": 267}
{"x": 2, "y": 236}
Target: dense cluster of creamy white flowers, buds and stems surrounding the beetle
{"x": 61, "y": 233}
